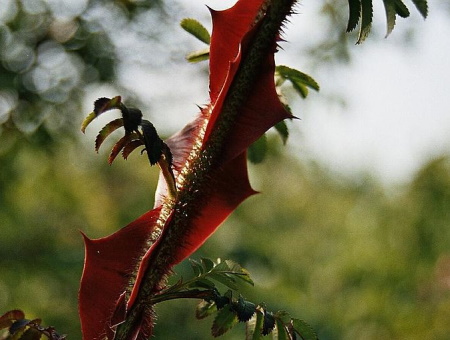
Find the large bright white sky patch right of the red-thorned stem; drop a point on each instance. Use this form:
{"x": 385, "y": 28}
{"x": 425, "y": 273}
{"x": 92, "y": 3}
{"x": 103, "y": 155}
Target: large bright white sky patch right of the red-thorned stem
{"x": 398, "y": 107}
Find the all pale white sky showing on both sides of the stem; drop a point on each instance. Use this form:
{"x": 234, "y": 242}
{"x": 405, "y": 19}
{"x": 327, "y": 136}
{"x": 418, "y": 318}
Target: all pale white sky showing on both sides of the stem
{"x": 398, "y": 107}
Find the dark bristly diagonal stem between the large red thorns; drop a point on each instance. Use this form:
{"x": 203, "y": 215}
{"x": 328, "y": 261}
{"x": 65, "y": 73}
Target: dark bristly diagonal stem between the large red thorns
{"x": 187, "y": 201}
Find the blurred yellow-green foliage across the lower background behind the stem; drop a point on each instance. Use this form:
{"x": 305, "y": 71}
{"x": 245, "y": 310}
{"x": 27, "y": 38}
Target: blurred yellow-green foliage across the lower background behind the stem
{"x": 353, "y": 259}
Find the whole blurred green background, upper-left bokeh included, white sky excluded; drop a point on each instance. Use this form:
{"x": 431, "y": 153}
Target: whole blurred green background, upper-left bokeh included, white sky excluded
{"x": 355, "y": 258}
